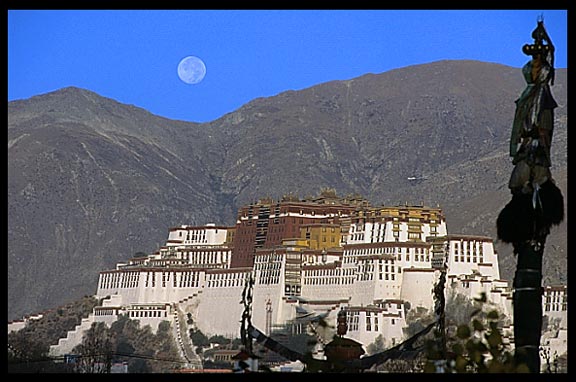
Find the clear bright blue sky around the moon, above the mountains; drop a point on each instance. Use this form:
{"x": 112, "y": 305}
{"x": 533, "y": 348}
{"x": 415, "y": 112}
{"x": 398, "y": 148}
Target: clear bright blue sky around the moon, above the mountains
{"x": 132, "y": 55}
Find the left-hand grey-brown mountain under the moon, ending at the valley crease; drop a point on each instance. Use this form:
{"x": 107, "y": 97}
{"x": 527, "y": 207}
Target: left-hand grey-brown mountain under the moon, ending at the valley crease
{"x": 90, "y": 182}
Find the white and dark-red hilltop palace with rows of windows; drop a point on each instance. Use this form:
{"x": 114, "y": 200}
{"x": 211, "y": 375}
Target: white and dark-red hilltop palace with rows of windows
{"x": 308, "y": 258}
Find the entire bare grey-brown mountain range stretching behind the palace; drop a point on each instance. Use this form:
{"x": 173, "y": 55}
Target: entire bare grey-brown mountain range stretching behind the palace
{"x": 92, "y": 181}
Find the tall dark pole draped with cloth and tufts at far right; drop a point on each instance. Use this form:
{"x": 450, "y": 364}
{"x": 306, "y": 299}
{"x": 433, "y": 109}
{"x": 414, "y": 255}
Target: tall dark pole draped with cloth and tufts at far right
{"x": 536, "y": 203}
